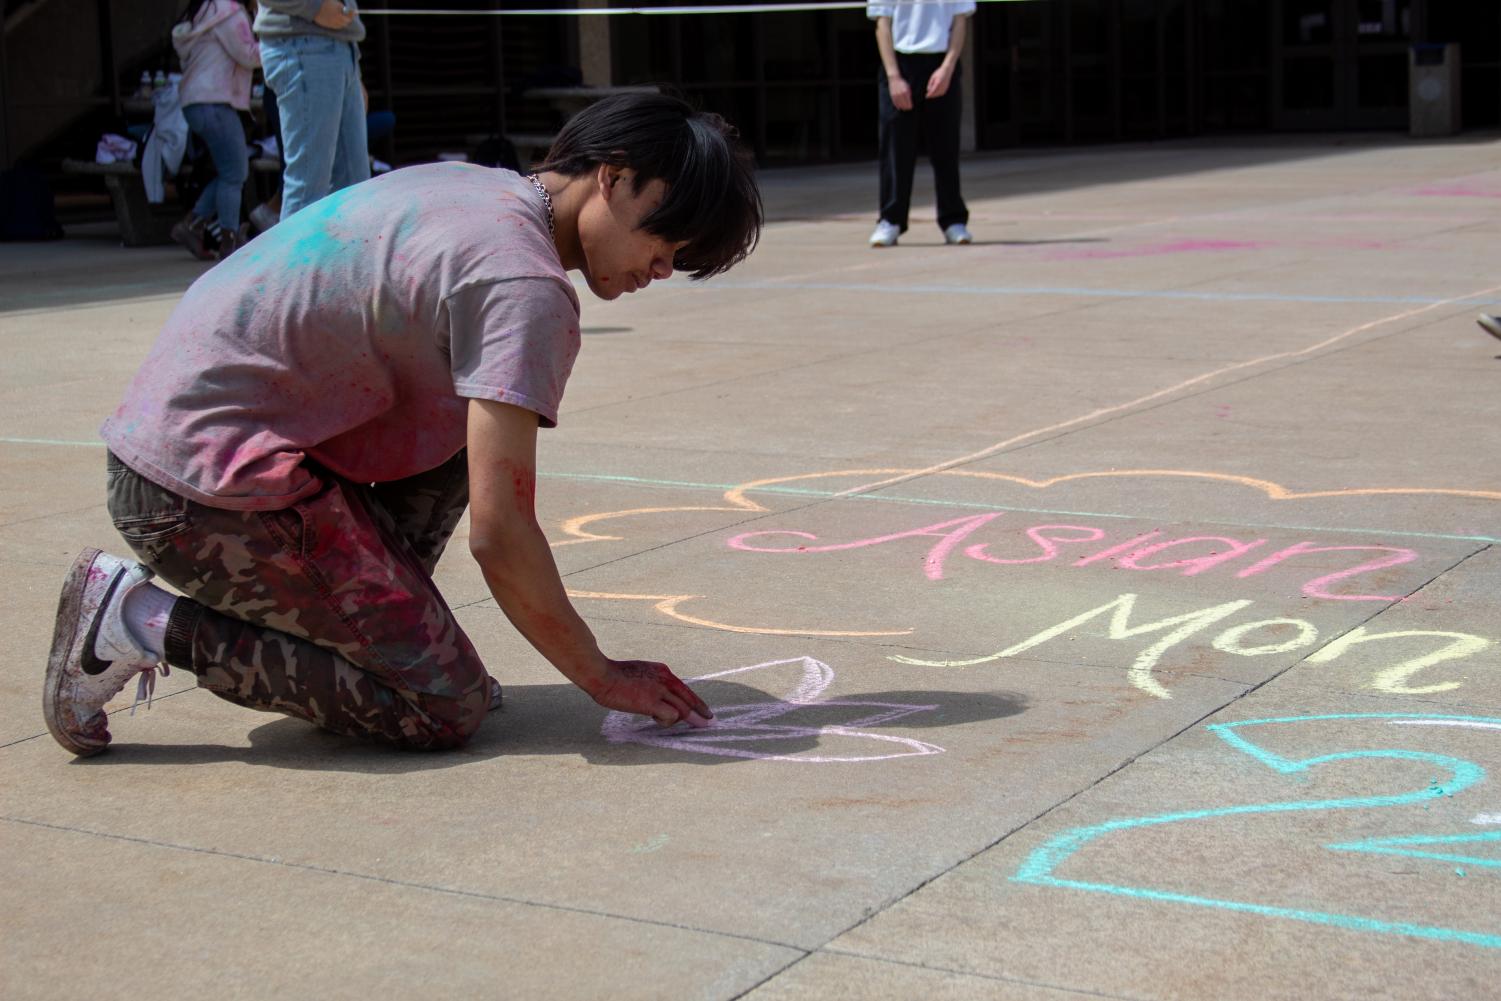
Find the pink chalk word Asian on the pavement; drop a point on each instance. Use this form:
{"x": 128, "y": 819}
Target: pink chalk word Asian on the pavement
{"x": 1188, "y": 556}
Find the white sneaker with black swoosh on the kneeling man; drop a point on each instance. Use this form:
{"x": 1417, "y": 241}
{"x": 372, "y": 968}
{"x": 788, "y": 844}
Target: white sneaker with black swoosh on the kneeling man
{"x": 92, "y": 655}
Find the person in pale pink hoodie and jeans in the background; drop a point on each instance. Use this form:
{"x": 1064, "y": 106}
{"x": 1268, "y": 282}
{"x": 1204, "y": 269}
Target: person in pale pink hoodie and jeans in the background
{"x": 218, "y": 53}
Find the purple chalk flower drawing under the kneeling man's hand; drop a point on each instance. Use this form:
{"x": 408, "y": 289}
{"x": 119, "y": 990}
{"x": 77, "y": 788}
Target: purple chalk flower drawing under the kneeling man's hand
{"x": 747, "y": 732}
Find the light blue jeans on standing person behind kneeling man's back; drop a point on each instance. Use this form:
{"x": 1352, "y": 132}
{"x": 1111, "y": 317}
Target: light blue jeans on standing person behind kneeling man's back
{"x": 317, "y": 86}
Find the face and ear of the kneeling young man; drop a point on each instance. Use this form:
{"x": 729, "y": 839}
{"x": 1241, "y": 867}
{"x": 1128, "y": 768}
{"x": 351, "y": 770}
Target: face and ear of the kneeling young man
{"x": 619, "y": 256}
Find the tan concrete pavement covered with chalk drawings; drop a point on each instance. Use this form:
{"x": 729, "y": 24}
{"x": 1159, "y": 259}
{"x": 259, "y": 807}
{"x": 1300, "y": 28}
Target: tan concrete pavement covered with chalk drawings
{"x": 1108, "y": 609}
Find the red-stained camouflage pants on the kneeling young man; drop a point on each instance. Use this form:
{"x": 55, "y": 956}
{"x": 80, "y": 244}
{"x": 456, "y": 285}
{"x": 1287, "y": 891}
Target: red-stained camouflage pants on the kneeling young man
{"x": 325, "y": 610}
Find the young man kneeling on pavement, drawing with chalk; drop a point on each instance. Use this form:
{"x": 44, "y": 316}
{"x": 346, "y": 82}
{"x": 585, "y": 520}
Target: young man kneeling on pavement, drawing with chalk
{"x": 322, "y": 407}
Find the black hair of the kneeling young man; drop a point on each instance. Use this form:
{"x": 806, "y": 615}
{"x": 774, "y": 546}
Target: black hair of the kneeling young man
{"x": 712, "y": 199}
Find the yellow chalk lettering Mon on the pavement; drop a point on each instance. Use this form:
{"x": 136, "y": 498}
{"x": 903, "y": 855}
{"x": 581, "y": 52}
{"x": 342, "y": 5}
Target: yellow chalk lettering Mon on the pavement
{"x": 1256, "y": 639}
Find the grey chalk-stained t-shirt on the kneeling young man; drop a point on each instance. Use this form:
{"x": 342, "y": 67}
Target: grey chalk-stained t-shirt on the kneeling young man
{"x": 353, "y": 334}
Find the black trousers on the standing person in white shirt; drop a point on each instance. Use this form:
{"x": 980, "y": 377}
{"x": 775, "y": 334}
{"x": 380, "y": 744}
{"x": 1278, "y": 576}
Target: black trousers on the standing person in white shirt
{"x": 936, "y": 121}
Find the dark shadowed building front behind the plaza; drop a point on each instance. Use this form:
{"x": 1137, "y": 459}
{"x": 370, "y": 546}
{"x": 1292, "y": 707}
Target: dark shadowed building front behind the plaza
{"x": 801, "y": 86}
